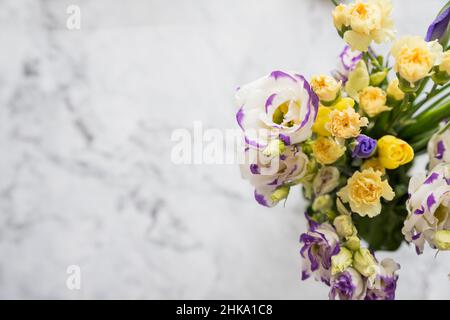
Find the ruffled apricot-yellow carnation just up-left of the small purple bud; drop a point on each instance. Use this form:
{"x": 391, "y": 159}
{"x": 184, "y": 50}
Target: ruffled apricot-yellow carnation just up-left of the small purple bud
{"x": 346, "y": 123}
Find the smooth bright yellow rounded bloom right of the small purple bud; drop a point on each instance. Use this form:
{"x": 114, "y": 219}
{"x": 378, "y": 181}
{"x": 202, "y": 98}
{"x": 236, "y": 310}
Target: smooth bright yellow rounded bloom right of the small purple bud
{"x": 394, "y": 152}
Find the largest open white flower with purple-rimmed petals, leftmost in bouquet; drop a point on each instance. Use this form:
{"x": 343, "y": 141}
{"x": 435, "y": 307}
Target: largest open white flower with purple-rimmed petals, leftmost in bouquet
{"x": 281, "y": 105}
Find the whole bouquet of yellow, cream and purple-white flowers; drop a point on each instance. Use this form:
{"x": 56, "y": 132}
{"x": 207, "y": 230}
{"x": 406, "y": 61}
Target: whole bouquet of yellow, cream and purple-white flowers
{"x": 349, "y": 139}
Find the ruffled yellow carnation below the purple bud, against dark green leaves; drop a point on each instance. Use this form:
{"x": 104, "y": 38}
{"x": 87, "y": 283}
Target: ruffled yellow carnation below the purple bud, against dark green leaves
{"x": 364, "y": 191}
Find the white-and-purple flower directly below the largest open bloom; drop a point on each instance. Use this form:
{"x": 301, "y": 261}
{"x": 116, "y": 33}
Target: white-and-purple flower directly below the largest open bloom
{"x": 270, "y": 173}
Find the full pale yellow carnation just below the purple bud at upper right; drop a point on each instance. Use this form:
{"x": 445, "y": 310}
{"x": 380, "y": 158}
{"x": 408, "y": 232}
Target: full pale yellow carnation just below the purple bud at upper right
{"x": 414, "y": 57}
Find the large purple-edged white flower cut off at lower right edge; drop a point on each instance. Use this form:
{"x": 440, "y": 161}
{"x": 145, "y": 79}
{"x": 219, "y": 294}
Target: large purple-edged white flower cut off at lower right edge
{"x": 428, "y": 206}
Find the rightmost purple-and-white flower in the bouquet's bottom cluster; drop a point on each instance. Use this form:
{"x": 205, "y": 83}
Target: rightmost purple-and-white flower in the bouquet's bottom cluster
{"x": 382, "y": 285}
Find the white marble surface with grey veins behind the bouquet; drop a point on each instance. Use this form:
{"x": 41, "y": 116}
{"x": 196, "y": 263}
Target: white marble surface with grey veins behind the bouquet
{"x": 85, "y": 172}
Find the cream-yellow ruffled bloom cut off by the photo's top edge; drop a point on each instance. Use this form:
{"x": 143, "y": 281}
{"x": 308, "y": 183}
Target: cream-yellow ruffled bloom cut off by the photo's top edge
{"x": 366, "y": 21}
